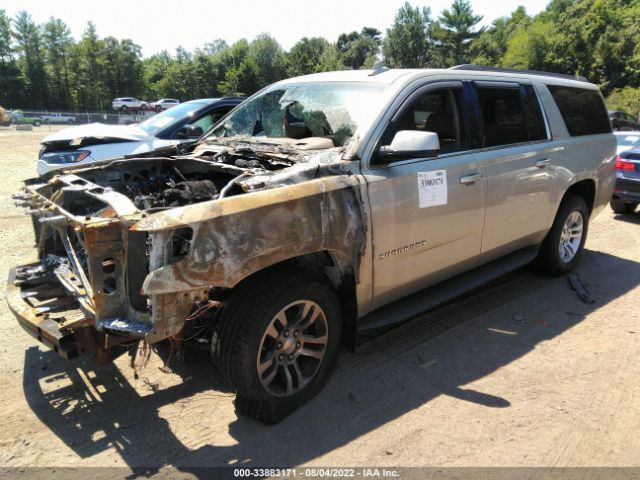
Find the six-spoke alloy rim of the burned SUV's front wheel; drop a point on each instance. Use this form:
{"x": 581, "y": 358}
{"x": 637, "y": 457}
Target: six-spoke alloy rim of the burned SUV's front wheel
{"x": 292, "y": 348}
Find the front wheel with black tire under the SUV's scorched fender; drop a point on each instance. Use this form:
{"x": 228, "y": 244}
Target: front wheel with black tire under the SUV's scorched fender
{"x": 275, "y": 363}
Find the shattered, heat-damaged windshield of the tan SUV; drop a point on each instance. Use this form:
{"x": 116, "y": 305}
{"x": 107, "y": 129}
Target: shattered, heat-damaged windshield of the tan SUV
{"x": 329, "y": 110}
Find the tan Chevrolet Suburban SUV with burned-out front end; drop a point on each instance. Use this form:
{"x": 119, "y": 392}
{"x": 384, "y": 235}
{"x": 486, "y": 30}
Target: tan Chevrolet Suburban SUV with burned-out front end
{"x": 323, "y": 208}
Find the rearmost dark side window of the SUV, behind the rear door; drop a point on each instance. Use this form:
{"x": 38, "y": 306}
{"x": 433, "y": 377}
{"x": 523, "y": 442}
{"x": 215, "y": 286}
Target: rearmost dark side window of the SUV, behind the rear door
{"x": 582, "y": 109}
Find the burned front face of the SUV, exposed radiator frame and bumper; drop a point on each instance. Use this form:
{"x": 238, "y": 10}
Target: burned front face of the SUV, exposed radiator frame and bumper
{"x": 84, "y": 295}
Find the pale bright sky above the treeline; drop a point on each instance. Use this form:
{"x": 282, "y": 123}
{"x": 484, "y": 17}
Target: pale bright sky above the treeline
{"x": 164, "y": 25}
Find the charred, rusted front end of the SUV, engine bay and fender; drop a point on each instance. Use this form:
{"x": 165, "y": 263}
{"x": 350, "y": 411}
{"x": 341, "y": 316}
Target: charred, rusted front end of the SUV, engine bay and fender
{"x": 140, "y": 249}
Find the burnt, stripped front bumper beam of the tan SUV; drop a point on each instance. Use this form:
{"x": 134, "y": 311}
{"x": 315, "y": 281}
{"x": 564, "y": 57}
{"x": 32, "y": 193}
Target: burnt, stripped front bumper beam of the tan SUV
{"x": 46, "y": 312}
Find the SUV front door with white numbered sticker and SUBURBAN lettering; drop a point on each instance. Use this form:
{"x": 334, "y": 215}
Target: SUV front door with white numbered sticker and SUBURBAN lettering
{"x": 427, "y": 213}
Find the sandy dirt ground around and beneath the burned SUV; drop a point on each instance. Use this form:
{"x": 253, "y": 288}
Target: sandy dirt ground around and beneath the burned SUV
{"x": 521, "y": 374}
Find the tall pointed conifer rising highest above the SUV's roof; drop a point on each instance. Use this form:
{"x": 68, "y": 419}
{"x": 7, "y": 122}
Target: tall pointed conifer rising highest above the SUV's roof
{"x": 454, "y": 31}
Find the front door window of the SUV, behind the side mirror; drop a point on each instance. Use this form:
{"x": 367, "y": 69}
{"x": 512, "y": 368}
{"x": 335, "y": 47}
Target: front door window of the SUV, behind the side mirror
{"x": 436, "y": 111}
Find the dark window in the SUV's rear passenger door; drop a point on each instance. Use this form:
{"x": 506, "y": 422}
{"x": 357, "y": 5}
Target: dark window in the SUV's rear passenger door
{"x": 510, "y": 115}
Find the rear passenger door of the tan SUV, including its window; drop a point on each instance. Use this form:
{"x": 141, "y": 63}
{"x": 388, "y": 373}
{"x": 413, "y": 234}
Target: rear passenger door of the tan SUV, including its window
{"x": 514, "y": 140}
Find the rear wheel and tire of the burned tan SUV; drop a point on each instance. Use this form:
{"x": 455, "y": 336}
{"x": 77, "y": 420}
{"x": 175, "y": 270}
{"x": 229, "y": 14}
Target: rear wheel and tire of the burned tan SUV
{"x": 561, "y": 249}
